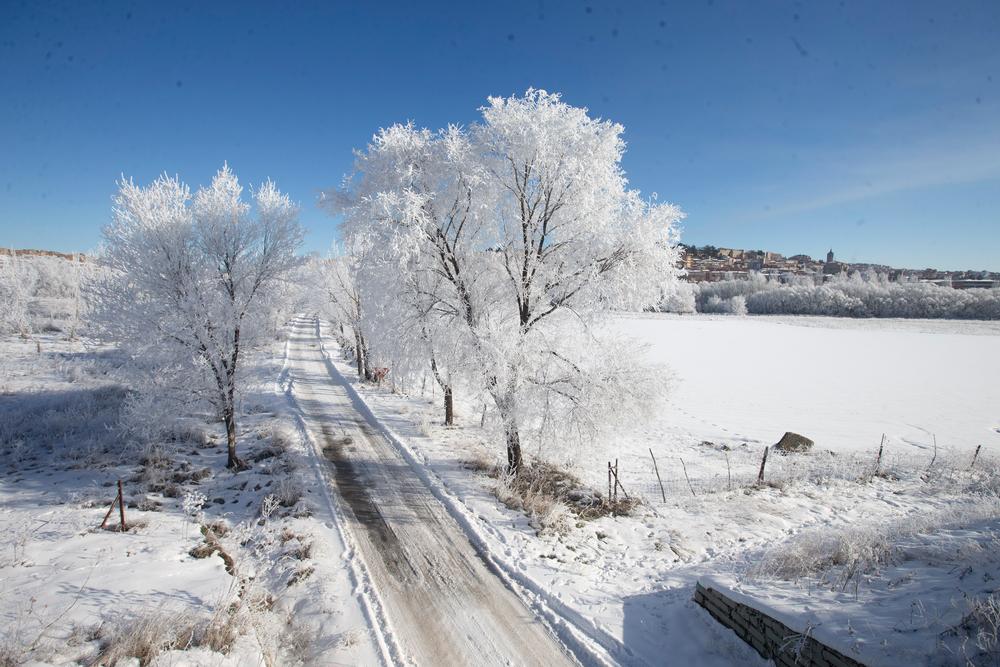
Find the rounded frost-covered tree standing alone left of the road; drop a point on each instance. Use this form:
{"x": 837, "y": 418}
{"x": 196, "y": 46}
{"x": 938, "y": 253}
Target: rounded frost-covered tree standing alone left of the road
{"x": 193, "y": 281}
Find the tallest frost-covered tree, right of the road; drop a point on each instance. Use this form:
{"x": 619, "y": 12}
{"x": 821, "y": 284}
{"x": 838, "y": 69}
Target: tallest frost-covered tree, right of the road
{"x": 571, "y": 240}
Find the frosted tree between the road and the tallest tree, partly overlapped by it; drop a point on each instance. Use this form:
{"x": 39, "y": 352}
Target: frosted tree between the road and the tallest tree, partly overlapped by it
{"x": 409, "y": 213}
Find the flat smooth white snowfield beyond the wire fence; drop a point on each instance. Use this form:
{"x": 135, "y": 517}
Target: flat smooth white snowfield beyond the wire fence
{"x": 841, "y": 382}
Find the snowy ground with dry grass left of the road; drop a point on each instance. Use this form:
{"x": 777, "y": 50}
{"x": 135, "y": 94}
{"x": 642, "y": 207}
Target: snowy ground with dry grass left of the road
{"x": 71, "y": 593}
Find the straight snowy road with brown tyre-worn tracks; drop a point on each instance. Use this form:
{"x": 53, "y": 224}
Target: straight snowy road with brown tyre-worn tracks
{"x": 441, "y": 600}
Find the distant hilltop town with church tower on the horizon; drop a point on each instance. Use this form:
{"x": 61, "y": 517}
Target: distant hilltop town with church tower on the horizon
{"x": 709, "y": 264}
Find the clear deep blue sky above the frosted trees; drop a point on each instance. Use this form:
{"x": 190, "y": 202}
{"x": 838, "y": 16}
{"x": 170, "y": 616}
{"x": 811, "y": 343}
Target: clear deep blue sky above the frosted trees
{"x": 871, "y": 127}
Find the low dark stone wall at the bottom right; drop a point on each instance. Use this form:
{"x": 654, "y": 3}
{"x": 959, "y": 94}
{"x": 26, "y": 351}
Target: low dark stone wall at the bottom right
{"x": 771, "y": 638}
